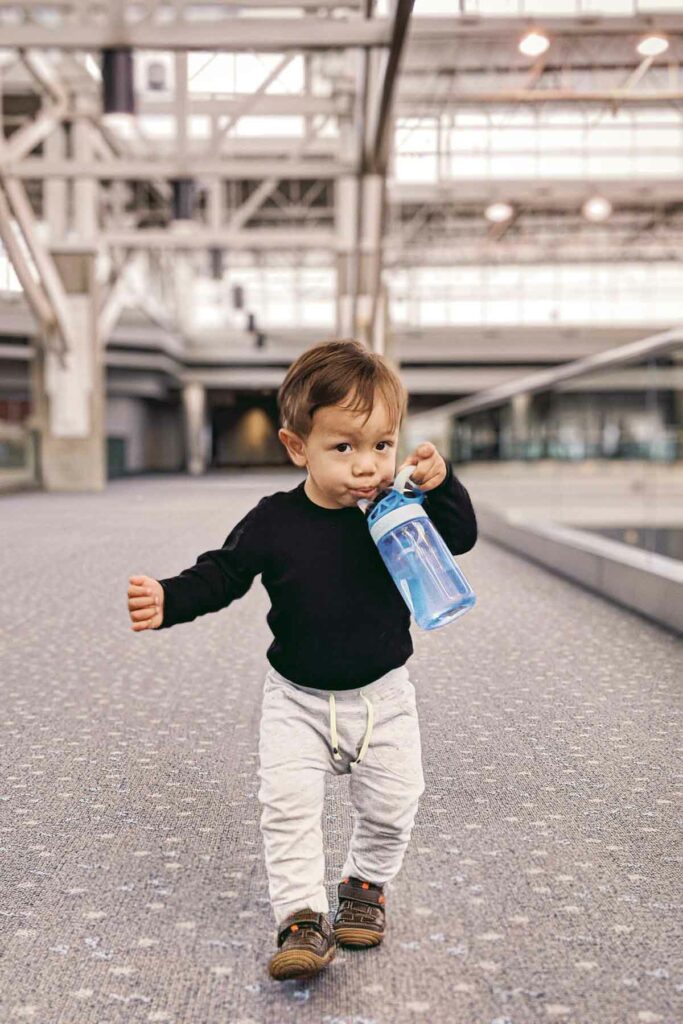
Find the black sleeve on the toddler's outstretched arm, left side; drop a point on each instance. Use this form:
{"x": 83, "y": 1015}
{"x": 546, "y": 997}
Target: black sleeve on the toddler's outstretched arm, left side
{"x": 219, "y": 577}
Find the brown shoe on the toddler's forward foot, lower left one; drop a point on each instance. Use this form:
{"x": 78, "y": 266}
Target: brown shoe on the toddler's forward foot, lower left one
{"x": 306, "y": 946}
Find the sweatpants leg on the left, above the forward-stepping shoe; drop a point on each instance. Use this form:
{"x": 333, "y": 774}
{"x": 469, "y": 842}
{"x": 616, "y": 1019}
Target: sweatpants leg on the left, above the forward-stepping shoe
{"x": 293, "y": 764}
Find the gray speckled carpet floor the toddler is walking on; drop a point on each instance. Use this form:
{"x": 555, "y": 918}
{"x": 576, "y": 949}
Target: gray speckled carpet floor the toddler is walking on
{"x": 544, "y": 880}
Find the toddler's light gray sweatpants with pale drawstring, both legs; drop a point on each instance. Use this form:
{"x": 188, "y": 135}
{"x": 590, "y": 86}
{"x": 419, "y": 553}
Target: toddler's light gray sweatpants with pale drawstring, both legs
{"x": 371, "y": 734}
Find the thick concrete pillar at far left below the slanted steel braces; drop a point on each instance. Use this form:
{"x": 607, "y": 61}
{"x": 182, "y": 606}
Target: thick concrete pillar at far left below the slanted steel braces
{"x": 69, "y": 400}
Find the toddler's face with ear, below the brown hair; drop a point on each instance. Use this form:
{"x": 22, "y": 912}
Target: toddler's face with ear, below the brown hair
{"x": 347, "y": 460}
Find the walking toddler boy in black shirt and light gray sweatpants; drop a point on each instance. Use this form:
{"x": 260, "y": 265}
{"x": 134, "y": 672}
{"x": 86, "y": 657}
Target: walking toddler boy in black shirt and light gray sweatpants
{"x": 337, "y": 698}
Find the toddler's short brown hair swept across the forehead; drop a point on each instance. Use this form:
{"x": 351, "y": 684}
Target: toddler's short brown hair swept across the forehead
{"x": 325, "y": 374}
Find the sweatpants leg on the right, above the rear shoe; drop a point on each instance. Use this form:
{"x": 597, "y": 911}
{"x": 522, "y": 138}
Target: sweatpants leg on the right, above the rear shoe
{"x": 386, "y": 790}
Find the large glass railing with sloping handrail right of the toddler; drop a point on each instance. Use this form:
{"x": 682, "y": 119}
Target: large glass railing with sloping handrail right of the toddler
{"x": 601, "y": 450}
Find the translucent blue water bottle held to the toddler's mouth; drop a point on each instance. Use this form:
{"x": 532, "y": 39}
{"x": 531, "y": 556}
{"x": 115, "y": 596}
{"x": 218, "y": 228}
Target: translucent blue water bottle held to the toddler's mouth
{"x": 416, "y": 554}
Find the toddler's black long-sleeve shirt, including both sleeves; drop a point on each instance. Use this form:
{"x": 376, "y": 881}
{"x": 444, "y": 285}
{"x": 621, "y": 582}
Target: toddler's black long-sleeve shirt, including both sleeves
{"x": 337, "y": 617}
